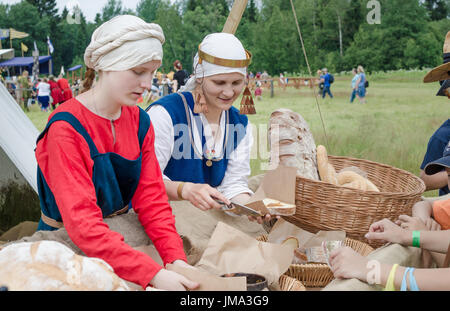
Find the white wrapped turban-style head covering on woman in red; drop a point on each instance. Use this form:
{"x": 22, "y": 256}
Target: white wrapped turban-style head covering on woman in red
{"x": 124, "y": 42}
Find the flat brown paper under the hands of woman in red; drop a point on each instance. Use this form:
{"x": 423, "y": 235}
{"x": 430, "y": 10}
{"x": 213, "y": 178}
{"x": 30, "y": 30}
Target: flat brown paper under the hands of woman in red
{"x": 208, "y": 281}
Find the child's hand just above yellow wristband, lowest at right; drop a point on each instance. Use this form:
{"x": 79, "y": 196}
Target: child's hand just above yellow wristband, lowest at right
{"x": 347, "y": 264}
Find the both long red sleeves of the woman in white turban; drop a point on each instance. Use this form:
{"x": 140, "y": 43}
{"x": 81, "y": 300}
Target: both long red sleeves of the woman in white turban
{"x": 64, "y": 158}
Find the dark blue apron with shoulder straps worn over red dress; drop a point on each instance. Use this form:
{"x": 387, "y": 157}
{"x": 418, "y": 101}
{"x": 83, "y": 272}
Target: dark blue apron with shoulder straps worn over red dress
{"x": 115, "y": 178}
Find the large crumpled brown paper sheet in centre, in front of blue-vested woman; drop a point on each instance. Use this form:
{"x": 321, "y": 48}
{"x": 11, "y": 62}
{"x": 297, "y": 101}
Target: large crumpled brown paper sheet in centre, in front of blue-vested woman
{"x": 231, "y": 251}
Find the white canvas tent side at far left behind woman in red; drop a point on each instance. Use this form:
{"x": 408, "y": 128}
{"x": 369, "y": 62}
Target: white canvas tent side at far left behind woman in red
{"x": 17, "y": 142}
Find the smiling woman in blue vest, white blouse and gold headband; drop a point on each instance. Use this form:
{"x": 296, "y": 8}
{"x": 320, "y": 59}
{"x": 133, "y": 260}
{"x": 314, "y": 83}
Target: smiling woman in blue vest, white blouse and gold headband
{"x": 202, "y": 142}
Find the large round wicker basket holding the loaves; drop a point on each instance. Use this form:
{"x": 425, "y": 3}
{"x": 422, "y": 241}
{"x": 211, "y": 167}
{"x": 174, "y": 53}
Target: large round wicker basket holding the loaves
{"x": 324, "y": 206}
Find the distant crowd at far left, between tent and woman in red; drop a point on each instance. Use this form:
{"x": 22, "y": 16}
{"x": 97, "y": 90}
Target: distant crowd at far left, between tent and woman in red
{"x": 47, "y": 92}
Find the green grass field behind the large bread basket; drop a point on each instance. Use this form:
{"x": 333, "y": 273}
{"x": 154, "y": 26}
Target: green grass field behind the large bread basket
{"x": 393, "y": 127}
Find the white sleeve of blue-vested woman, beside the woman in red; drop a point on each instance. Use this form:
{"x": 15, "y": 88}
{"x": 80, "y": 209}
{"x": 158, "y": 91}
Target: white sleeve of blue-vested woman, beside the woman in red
{"x": 164, "y": 133}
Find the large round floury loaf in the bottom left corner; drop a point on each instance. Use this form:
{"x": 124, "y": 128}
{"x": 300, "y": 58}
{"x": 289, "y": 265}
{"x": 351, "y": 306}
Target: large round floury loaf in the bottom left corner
{"x": 51, "y": 266}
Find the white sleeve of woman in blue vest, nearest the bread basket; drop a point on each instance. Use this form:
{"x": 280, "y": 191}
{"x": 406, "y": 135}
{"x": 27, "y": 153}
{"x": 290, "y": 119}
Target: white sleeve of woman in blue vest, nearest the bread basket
{"x": 238, "y": 170}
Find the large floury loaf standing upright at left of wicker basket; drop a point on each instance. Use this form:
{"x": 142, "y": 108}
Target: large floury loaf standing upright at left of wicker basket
{"x": 291, "y": 143}
